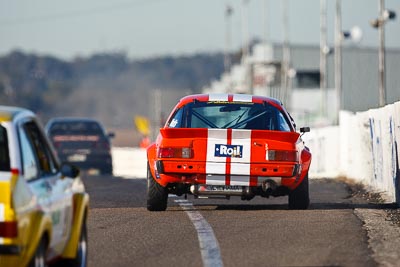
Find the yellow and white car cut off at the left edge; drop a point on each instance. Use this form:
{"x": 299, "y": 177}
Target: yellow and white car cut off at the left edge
{"x": 43, "y": 204}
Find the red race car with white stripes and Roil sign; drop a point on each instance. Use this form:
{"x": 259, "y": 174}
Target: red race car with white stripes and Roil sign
{"x": 228, "y": 145}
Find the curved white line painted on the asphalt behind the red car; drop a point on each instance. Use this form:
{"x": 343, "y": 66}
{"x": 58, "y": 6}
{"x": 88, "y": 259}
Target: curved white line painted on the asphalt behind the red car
{"x": 209, "y": 247}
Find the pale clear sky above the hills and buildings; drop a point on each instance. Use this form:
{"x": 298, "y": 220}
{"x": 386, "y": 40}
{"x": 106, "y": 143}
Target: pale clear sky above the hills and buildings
{"x": 147, "y": 28}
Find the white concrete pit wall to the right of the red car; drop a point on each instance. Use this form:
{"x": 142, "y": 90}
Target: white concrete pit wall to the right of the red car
{"x": 363, "y": 147}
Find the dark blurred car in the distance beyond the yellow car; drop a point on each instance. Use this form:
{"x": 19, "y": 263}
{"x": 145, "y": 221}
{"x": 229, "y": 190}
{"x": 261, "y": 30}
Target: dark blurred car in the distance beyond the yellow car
{"x": 82, "y": 142}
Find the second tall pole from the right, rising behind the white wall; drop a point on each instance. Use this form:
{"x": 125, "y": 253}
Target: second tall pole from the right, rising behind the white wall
{"x": 338, "y": 57}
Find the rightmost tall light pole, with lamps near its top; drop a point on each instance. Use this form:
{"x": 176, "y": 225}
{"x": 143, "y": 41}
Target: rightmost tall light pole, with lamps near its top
{"x": 379, "y": 23}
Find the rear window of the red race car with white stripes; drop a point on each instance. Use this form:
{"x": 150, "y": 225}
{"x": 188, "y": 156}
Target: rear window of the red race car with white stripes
{"x": 223, "y": 115}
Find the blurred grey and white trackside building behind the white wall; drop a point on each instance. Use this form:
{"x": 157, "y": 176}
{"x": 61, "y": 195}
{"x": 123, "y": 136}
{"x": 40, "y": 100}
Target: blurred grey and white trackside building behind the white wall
{"x": 260, "y": 73}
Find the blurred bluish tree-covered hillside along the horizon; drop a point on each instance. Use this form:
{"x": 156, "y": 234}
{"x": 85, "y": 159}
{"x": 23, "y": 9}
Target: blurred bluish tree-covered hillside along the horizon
{"x": 109, "y": 87}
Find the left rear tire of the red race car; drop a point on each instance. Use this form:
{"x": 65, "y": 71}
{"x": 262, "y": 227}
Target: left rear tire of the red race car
{"x": 157, "y": 196}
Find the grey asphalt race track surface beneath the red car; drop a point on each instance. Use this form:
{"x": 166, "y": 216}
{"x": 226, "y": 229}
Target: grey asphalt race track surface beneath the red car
{"x": 219, "y": 232}
